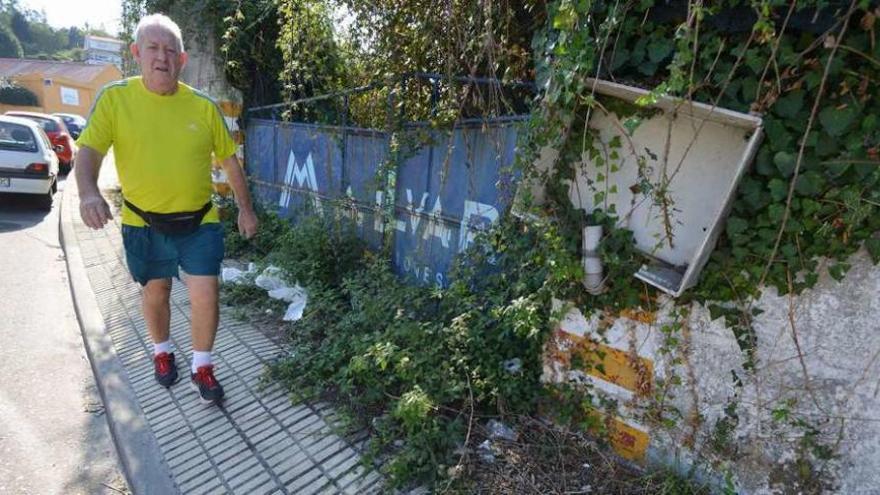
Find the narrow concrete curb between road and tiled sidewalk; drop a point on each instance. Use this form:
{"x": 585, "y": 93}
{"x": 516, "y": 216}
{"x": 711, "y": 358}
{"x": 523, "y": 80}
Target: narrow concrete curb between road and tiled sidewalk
{"x": 142, "y": 461}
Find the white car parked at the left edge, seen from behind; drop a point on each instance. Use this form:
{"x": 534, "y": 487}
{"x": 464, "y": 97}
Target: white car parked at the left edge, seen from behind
{"x": 28, "y": 163}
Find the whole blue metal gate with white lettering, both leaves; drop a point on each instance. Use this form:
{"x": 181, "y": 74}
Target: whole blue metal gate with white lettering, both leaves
{"x": 444, "y": 192}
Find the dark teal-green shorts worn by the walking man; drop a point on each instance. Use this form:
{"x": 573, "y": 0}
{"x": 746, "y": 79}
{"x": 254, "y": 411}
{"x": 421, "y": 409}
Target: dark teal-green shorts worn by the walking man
{"x": 153, "y": 255}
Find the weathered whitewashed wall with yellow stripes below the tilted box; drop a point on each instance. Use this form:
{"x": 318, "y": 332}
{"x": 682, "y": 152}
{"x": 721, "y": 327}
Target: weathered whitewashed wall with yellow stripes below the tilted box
{"x": 815, "y": 386}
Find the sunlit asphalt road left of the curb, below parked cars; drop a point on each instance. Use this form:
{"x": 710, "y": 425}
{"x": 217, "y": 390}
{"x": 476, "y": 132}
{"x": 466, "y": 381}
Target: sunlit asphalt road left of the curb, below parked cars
{"x": 54, "y": 437}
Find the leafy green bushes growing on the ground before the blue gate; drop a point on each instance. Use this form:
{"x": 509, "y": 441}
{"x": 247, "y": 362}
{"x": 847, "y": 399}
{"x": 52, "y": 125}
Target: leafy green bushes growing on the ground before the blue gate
{"x": 424, "y": 369}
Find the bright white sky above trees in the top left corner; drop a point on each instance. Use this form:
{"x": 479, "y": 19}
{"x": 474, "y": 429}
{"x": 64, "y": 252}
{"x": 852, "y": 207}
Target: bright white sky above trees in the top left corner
{"x": 67, "y": 13}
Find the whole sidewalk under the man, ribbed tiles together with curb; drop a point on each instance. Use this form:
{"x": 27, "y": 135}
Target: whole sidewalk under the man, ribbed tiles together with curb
{"x": 257, "y": 443}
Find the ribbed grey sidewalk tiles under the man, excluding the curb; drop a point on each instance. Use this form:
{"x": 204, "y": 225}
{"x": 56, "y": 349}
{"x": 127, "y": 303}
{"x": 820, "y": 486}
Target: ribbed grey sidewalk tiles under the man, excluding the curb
{"x": 258, "y": 443}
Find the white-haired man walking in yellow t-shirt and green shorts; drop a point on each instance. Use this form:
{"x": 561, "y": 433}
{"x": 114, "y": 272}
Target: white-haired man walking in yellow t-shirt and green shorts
{"x": 164, "y": 133}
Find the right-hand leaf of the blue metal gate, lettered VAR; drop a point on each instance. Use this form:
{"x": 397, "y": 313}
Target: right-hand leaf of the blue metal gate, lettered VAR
{"x": 446, "y": 193}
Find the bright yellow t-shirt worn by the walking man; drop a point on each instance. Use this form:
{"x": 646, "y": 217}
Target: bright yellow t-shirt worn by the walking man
{"x": 162, "y": 144}
